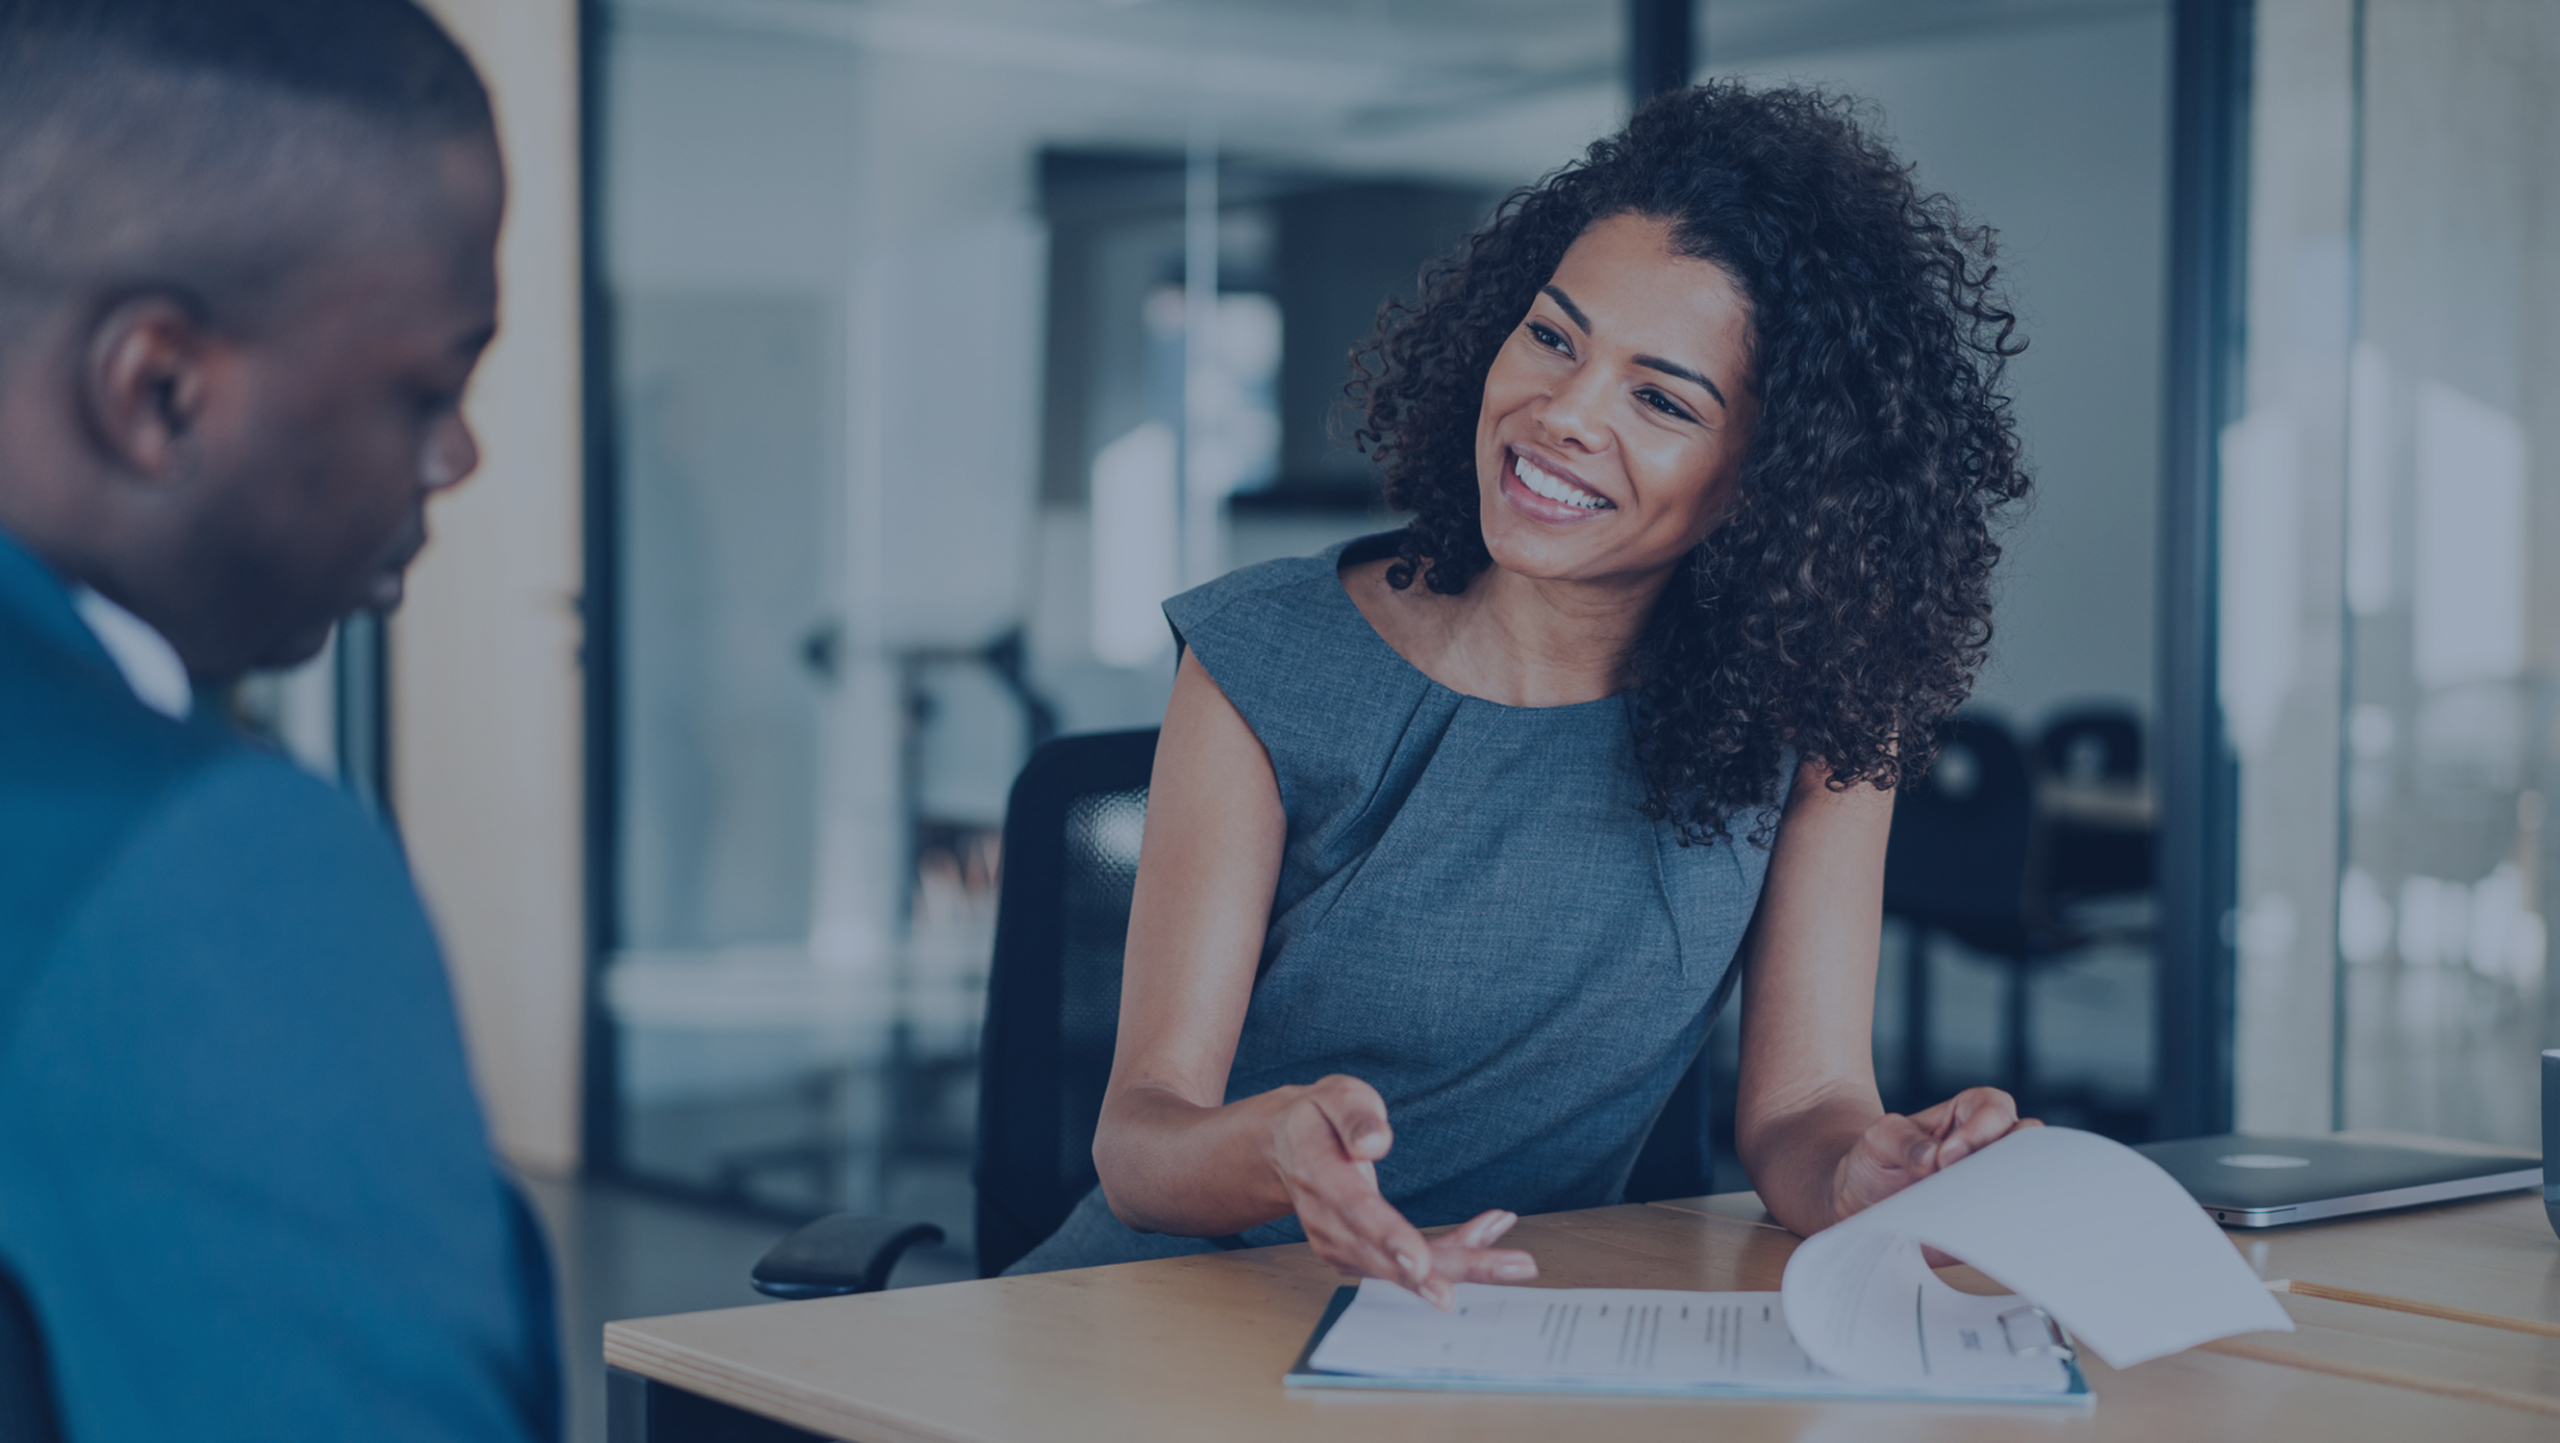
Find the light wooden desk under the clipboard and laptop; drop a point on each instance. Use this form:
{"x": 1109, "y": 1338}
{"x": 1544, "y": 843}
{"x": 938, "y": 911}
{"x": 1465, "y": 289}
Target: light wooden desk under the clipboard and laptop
{"x": 1194, "y": 1350}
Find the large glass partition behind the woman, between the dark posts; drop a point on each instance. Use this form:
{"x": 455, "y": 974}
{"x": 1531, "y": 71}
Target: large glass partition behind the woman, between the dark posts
{"x": 948, "y": 339}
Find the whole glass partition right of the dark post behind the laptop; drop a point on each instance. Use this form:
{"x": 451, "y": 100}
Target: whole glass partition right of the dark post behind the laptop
{"x": 2392, "y": 623}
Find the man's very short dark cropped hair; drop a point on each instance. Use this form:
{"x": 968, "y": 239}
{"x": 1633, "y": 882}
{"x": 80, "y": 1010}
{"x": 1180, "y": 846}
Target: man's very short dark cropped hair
{"x": 206, "y": 147}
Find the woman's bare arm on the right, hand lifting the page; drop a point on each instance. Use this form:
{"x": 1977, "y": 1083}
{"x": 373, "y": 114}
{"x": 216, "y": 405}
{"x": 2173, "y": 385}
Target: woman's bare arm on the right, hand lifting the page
{"x": 1809, "y": 1122}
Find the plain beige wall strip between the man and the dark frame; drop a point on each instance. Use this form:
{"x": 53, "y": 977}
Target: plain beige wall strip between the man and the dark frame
{"x": 485, "y": 656}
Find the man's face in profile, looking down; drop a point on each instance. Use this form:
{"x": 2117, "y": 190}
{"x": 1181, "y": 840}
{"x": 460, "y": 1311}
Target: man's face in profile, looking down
{"x": 342, "y": 418}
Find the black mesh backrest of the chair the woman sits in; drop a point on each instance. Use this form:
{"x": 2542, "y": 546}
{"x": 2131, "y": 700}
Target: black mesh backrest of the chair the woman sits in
{"x": 1071, "y": 835}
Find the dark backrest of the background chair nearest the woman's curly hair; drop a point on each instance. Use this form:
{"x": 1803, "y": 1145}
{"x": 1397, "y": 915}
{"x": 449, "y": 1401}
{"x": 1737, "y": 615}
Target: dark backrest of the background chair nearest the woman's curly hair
{"x": 1957, "y": 856}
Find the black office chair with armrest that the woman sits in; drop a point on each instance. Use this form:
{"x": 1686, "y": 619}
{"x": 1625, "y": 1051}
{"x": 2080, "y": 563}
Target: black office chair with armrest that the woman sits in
{"x": 1071, "y": 838}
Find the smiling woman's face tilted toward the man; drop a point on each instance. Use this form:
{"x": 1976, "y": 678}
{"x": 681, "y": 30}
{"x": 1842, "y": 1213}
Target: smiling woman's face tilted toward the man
{"x": 1619, "y": 411}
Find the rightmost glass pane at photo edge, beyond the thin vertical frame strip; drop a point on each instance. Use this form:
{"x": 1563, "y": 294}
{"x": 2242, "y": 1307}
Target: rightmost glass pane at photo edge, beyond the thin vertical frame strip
{"x": 2454, "y": 603}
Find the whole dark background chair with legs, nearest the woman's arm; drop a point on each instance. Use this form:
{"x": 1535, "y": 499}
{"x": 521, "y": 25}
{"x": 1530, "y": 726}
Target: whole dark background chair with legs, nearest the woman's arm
{"x": 1957, "y": 863}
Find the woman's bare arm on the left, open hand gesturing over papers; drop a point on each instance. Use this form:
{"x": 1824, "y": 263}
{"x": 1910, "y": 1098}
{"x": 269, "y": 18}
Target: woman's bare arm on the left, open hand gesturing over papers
{"x": 1171, "y": 1153}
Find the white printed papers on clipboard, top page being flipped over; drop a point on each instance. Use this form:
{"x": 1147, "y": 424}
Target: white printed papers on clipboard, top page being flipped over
{"x": 2088, "y": 1234}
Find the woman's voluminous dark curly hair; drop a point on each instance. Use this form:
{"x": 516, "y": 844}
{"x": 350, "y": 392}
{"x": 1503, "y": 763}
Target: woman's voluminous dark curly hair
{"x": 1844, "y": 605}
